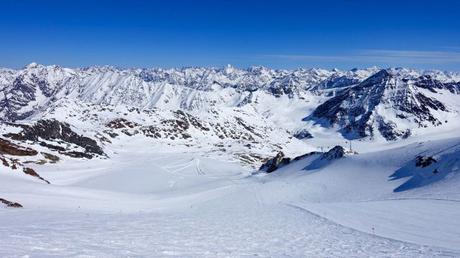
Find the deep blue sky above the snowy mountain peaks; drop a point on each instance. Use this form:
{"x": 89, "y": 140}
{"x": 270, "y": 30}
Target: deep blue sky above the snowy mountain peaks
{"x": 278, "y": 34}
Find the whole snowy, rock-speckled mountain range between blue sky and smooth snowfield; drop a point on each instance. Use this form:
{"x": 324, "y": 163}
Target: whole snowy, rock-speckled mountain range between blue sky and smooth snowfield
{"x": 247, "y": 114}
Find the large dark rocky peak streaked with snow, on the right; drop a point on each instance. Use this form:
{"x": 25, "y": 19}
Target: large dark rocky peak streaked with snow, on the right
{"x": 357, "y": 112}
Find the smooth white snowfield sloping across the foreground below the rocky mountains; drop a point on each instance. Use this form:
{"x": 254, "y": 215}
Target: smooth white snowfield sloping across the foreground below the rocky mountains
{"x": 152, "y": 202}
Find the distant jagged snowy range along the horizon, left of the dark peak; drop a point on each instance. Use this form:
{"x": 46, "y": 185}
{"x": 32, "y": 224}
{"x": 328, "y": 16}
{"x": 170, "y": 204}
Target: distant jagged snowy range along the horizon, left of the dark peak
{"x": 36, "y": 87}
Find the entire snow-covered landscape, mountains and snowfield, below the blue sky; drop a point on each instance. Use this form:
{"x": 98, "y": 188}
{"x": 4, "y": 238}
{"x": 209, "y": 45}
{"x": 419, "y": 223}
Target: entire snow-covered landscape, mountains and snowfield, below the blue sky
{"x": 228, "y": 162}
